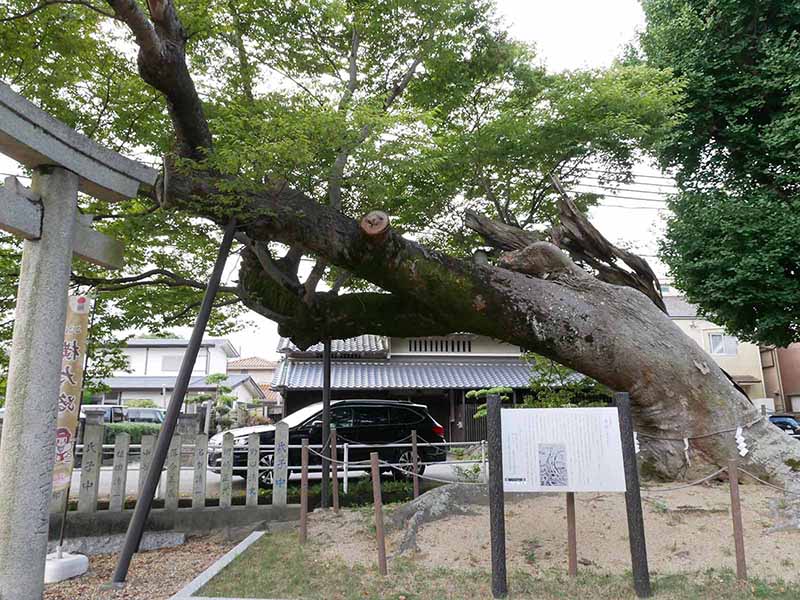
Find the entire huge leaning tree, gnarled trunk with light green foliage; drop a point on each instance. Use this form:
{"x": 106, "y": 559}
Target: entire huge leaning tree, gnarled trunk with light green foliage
{"x": 298, "y": 118}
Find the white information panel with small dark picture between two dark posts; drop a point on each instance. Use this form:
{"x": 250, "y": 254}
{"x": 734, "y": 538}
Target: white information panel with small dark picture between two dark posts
{"x": 562, "y": 450}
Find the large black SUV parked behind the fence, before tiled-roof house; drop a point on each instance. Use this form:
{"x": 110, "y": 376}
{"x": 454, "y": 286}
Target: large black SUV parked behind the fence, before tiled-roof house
{"x": 357, "y": 422}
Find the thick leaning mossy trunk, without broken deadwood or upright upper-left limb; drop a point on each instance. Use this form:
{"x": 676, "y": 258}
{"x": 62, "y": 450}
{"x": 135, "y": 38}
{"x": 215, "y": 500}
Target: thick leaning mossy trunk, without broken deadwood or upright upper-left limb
{"x": 612, "y": 333}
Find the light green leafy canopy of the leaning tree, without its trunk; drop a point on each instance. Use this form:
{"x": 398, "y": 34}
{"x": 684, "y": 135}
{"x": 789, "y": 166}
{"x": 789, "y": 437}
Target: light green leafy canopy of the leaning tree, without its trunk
{"x": 421, "y": 109}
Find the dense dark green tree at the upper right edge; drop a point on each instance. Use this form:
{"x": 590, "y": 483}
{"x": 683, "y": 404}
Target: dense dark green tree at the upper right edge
{"x": 732, "y": 243}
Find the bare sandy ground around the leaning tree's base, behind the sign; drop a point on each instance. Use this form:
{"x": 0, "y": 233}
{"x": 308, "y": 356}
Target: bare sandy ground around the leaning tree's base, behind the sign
{"x": 686, "y": 530}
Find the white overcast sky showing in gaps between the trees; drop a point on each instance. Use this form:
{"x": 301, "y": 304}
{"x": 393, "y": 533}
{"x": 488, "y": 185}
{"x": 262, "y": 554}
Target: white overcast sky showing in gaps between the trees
{"x": 568, "y": 34}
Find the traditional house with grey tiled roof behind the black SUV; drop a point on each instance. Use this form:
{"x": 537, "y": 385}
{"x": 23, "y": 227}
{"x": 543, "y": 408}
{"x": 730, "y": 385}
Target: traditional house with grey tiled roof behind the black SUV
{"x": 435, "y": 371}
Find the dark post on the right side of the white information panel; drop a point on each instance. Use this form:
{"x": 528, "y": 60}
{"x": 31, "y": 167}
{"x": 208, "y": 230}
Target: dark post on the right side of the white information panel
{"x": 633, "y": 498}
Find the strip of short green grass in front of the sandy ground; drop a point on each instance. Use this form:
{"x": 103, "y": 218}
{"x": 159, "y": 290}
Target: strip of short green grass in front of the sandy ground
{"x": 278, "y": 567}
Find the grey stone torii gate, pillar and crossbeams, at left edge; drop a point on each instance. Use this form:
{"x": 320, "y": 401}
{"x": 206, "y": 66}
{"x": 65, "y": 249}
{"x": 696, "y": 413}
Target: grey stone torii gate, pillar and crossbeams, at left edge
{"x": 46, "y": 217}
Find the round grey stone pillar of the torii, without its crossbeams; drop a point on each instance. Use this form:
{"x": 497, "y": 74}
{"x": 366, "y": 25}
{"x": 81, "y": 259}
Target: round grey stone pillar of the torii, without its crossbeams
{"x": 27, "y": 452}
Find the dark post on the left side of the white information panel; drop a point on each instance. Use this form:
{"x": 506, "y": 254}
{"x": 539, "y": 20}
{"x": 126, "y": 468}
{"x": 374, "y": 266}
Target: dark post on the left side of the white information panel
{"x": 497, "y": 518}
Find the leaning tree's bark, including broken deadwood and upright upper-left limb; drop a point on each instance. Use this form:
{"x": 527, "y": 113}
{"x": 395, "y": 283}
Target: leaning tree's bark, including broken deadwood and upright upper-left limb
{"x": 609, "y": 327}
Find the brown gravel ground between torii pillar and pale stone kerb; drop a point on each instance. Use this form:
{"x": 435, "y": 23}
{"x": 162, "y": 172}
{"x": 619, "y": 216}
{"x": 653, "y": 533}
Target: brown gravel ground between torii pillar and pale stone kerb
{"x": 154, "y": 575}
